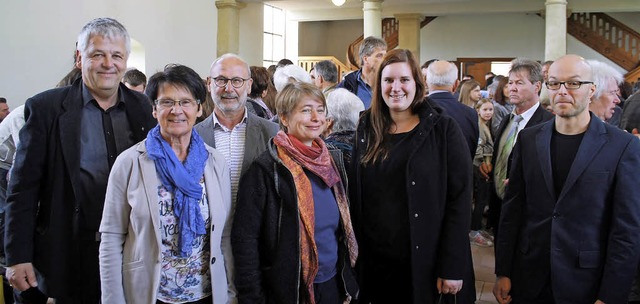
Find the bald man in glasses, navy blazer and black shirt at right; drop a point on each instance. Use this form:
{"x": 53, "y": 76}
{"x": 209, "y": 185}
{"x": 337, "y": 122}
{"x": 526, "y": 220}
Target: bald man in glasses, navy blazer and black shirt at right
{"x": 571, "y": 218}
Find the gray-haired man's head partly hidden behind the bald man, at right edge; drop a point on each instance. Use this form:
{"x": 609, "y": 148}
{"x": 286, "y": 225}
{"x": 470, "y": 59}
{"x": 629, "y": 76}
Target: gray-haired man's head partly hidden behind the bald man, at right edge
{"x": 607, "y": 95}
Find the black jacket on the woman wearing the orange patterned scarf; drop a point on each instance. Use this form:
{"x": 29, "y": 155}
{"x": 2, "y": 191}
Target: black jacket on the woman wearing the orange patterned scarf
{"x": 265, "y": 236}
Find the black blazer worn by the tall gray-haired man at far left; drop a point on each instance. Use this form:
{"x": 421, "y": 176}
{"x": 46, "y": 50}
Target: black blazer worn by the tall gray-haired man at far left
{"x": 43, "y": 204}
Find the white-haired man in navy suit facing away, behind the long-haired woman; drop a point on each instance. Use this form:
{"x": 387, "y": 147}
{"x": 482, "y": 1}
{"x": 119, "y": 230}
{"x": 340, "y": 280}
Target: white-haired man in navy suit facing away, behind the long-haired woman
{"x": 441, "y": 81}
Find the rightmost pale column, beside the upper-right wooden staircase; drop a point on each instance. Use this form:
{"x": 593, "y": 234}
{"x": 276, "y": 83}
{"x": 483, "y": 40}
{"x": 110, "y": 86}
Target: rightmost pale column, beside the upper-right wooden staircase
{"x": 555, "y": 44}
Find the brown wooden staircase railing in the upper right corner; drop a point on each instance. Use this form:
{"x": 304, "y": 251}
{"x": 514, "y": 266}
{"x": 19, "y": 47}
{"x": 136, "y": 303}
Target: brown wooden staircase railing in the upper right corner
{"x": 609, "y": 37}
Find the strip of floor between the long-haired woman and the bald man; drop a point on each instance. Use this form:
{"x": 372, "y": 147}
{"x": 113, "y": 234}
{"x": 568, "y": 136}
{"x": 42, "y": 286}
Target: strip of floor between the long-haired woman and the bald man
{"x": 483, "y": 264}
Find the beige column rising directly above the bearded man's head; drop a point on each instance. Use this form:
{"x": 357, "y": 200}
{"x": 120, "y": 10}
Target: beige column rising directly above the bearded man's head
{"x": 228, "y": 40}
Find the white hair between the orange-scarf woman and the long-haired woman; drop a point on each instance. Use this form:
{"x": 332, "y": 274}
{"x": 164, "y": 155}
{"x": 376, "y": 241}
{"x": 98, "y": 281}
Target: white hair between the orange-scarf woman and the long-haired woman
{"x": 344, "y": 108}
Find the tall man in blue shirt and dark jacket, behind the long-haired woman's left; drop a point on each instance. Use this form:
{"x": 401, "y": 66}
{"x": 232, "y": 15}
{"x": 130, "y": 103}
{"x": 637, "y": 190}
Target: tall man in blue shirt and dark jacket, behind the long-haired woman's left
{"x": 372, "y": 51}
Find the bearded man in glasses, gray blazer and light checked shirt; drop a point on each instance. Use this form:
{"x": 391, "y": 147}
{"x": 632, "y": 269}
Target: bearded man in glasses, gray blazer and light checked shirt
{"x": 239, "y": 135}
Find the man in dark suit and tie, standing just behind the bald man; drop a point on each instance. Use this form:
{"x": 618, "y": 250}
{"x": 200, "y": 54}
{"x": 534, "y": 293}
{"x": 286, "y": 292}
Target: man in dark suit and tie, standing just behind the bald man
{"x": 525, "y": 81}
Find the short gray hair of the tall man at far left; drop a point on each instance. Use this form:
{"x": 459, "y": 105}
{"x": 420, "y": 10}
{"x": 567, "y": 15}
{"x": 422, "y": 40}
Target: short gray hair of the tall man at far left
{"x": 105, "y": 27}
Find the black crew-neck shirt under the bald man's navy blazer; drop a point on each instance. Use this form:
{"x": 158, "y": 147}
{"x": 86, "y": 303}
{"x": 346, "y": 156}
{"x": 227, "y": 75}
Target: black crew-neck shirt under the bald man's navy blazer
{"x": 563, "y": 151}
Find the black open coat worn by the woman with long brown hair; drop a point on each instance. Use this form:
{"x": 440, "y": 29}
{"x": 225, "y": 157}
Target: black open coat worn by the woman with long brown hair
{"x": 439, "y": 189}
